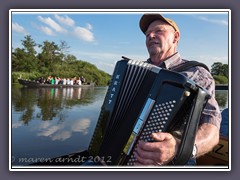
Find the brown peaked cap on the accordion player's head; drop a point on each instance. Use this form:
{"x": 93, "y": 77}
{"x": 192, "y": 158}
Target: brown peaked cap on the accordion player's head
{"x": 147, "y": 19}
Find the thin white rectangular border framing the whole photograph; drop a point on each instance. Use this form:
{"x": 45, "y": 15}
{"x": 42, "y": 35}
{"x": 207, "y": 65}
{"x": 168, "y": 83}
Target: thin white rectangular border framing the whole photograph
{"x": 117, "y": 11}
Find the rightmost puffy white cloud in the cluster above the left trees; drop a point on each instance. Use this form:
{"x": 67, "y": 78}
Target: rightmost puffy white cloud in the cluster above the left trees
{"x": 83, "y": 34}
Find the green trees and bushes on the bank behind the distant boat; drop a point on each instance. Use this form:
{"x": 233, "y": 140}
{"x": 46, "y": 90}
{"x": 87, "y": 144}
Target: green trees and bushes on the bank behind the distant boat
{"x": 52, "y": 60}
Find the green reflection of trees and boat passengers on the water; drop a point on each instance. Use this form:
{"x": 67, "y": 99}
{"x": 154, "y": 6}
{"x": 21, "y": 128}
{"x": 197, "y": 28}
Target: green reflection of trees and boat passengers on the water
{"x": 49, "y": 102}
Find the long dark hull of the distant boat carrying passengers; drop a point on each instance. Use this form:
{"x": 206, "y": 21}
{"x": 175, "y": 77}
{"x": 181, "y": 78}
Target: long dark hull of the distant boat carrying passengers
{"x": 29, "y": 83}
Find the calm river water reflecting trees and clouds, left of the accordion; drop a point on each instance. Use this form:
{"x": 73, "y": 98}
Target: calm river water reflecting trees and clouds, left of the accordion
{"x": 51, "y": 122}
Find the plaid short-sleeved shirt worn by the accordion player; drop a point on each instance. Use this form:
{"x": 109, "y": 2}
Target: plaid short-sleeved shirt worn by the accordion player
{"x": 211, "y": 113}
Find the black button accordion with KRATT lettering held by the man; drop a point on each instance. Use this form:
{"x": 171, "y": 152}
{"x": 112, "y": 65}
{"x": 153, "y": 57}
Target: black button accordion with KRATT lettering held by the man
{"x": 142, "y": 99}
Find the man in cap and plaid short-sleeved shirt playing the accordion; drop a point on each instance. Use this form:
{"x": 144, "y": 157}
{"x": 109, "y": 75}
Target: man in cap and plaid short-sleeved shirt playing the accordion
{"x": 162, "y": 37}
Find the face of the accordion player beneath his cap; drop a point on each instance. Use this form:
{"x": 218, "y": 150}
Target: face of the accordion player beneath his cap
{"x": 160, "y": 38}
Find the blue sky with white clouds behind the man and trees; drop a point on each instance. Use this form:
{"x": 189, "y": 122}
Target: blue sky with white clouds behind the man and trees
{"x": 102, "y": 37}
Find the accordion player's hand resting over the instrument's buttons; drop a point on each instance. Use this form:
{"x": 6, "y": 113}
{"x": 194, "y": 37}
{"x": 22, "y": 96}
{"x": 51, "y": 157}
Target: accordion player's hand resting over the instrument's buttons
{"x": 160, "y": 152}
